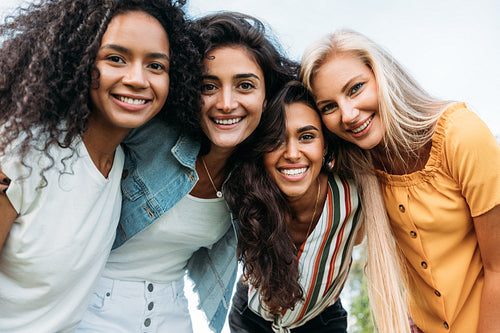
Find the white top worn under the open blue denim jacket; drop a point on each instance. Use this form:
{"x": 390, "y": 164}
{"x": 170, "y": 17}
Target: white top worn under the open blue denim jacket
{"x": 160, "y": 252}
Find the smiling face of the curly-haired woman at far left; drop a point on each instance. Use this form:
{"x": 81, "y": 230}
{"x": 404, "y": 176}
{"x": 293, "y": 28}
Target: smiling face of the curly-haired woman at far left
{"x": 133, "y": 64}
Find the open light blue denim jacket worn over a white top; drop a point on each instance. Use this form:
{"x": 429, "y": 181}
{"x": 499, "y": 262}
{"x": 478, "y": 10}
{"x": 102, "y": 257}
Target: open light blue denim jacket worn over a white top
{"x": 160, "y": 170}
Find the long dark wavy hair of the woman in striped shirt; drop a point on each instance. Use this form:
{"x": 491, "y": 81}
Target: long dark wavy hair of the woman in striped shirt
{"x": 264, "y": 242}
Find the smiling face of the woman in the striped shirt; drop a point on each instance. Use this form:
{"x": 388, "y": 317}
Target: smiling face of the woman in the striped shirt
{"x": 296, "y": 164}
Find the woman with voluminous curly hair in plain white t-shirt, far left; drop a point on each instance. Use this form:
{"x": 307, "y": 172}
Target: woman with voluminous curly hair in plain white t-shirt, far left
{"x": 75, "y": 77}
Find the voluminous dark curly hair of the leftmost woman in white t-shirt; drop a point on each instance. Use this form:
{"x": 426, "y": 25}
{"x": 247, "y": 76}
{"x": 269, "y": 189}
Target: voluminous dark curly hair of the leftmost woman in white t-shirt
{"x": 47, "y": 64}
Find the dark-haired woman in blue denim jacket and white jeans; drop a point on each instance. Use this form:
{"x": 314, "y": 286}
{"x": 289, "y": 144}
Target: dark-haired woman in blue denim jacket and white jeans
{"x": 174, "y": 216}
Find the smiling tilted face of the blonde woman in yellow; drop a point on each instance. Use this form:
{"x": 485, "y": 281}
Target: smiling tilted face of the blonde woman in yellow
{"x": 345, "y": 92}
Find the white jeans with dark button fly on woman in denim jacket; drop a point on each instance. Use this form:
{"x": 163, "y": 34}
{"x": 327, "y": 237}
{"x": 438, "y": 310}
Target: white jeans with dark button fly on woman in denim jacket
{"x": 132, "y": 306}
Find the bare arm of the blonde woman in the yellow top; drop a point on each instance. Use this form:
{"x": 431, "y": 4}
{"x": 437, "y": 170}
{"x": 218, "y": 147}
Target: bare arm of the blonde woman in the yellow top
{"x": 488, "y": 235}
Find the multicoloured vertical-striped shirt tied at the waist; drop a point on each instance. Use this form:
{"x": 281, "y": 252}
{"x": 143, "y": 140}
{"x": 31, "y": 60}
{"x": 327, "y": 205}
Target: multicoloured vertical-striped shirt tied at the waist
{"x": 324, "y": 259}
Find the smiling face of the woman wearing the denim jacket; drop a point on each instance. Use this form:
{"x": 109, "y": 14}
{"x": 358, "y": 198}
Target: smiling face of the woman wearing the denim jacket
{"x": 233, "y": 95}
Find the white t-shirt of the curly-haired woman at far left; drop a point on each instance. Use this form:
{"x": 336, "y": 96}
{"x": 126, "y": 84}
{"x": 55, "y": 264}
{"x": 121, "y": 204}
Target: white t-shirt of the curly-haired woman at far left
{"x": 60, "y": 241}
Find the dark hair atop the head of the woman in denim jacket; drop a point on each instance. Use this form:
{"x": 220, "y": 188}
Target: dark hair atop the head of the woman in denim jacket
{"x": 236, "y": 29}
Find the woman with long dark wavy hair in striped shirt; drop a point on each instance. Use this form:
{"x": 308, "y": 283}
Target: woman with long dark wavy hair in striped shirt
{"x": 299, "y": 220}
